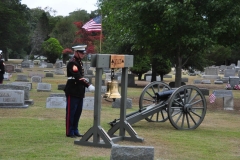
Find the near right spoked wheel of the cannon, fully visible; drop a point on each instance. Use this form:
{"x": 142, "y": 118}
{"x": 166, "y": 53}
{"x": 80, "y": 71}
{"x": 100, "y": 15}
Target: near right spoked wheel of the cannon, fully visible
{"x": 187, "y": 108}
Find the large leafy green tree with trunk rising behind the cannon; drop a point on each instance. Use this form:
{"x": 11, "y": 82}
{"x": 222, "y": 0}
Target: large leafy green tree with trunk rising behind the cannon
{"x": 182, "y": 30}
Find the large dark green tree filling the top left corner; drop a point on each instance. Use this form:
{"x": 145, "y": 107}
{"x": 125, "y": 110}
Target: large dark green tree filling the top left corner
{"x": 14, "y": 28}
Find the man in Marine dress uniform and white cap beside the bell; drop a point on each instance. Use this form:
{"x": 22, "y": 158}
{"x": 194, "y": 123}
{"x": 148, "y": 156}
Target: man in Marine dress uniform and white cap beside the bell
{"x": 75, "y": 91}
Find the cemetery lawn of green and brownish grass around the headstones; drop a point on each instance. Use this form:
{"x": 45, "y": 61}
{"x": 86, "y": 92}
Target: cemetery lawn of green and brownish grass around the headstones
{"x": 39, "y": 133}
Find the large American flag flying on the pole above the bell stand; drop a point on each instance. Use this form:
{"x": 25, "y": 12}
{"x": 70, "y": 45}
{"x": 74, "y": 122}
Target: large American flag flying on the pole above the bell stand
{"x": 94, "y": 24}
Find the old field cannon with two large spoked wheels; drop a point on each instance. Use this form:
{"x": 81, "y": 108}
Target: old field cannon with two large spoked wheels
{"x": 185, "y": 107}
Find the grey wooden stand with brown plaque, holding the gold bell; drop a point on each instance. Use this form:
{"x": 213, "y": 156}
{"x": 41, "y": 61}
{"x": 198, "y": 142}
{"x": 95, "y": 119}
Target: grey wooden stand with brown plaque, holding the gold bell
{"x": 96, "y": 135}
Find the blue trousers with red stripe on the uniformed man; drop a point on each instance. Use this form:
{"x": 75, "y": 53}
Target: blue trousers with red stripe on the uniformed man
{"x": 73, "y": 113}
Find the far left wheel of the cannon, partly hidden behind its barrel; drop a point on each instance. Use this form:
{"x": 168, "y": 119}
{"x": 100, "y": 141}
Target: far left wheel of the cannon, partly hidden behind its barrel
{"x": 148, "y": 98}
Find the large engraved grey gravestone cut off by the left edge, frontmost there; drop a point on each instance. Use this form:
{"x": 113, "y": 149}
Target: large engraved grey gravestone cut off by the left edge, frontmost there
{"x": 12, "y": 99}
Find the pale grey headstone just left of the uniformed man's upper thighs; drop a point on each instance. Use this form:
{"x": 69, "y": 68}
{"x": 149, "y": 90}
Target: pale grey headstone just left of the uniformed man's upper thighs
{"x": 56, "y": 102}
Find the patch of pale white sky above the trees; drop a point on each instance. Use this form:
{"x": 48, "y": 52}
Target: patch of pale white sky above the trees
{"x": 63, "y": 7}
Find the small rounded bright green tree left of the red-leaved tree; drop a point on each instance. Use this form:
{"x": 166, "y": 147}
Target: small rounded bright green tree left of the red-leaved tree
{"x": 52, "y": 49}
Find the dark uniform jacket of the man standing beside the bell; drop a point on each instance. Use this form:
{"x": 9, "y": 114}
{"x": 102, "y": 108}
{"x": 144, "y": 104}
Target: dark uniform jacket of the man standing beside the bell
{"x": 75, "y": 87}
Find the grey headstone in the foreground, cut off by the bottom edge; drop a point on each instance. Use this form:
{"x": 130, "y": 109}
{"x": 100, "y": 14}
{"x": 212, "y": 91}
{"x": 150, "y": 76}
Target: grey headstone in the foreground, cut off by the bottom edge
{"x": 120, "y": 152}
